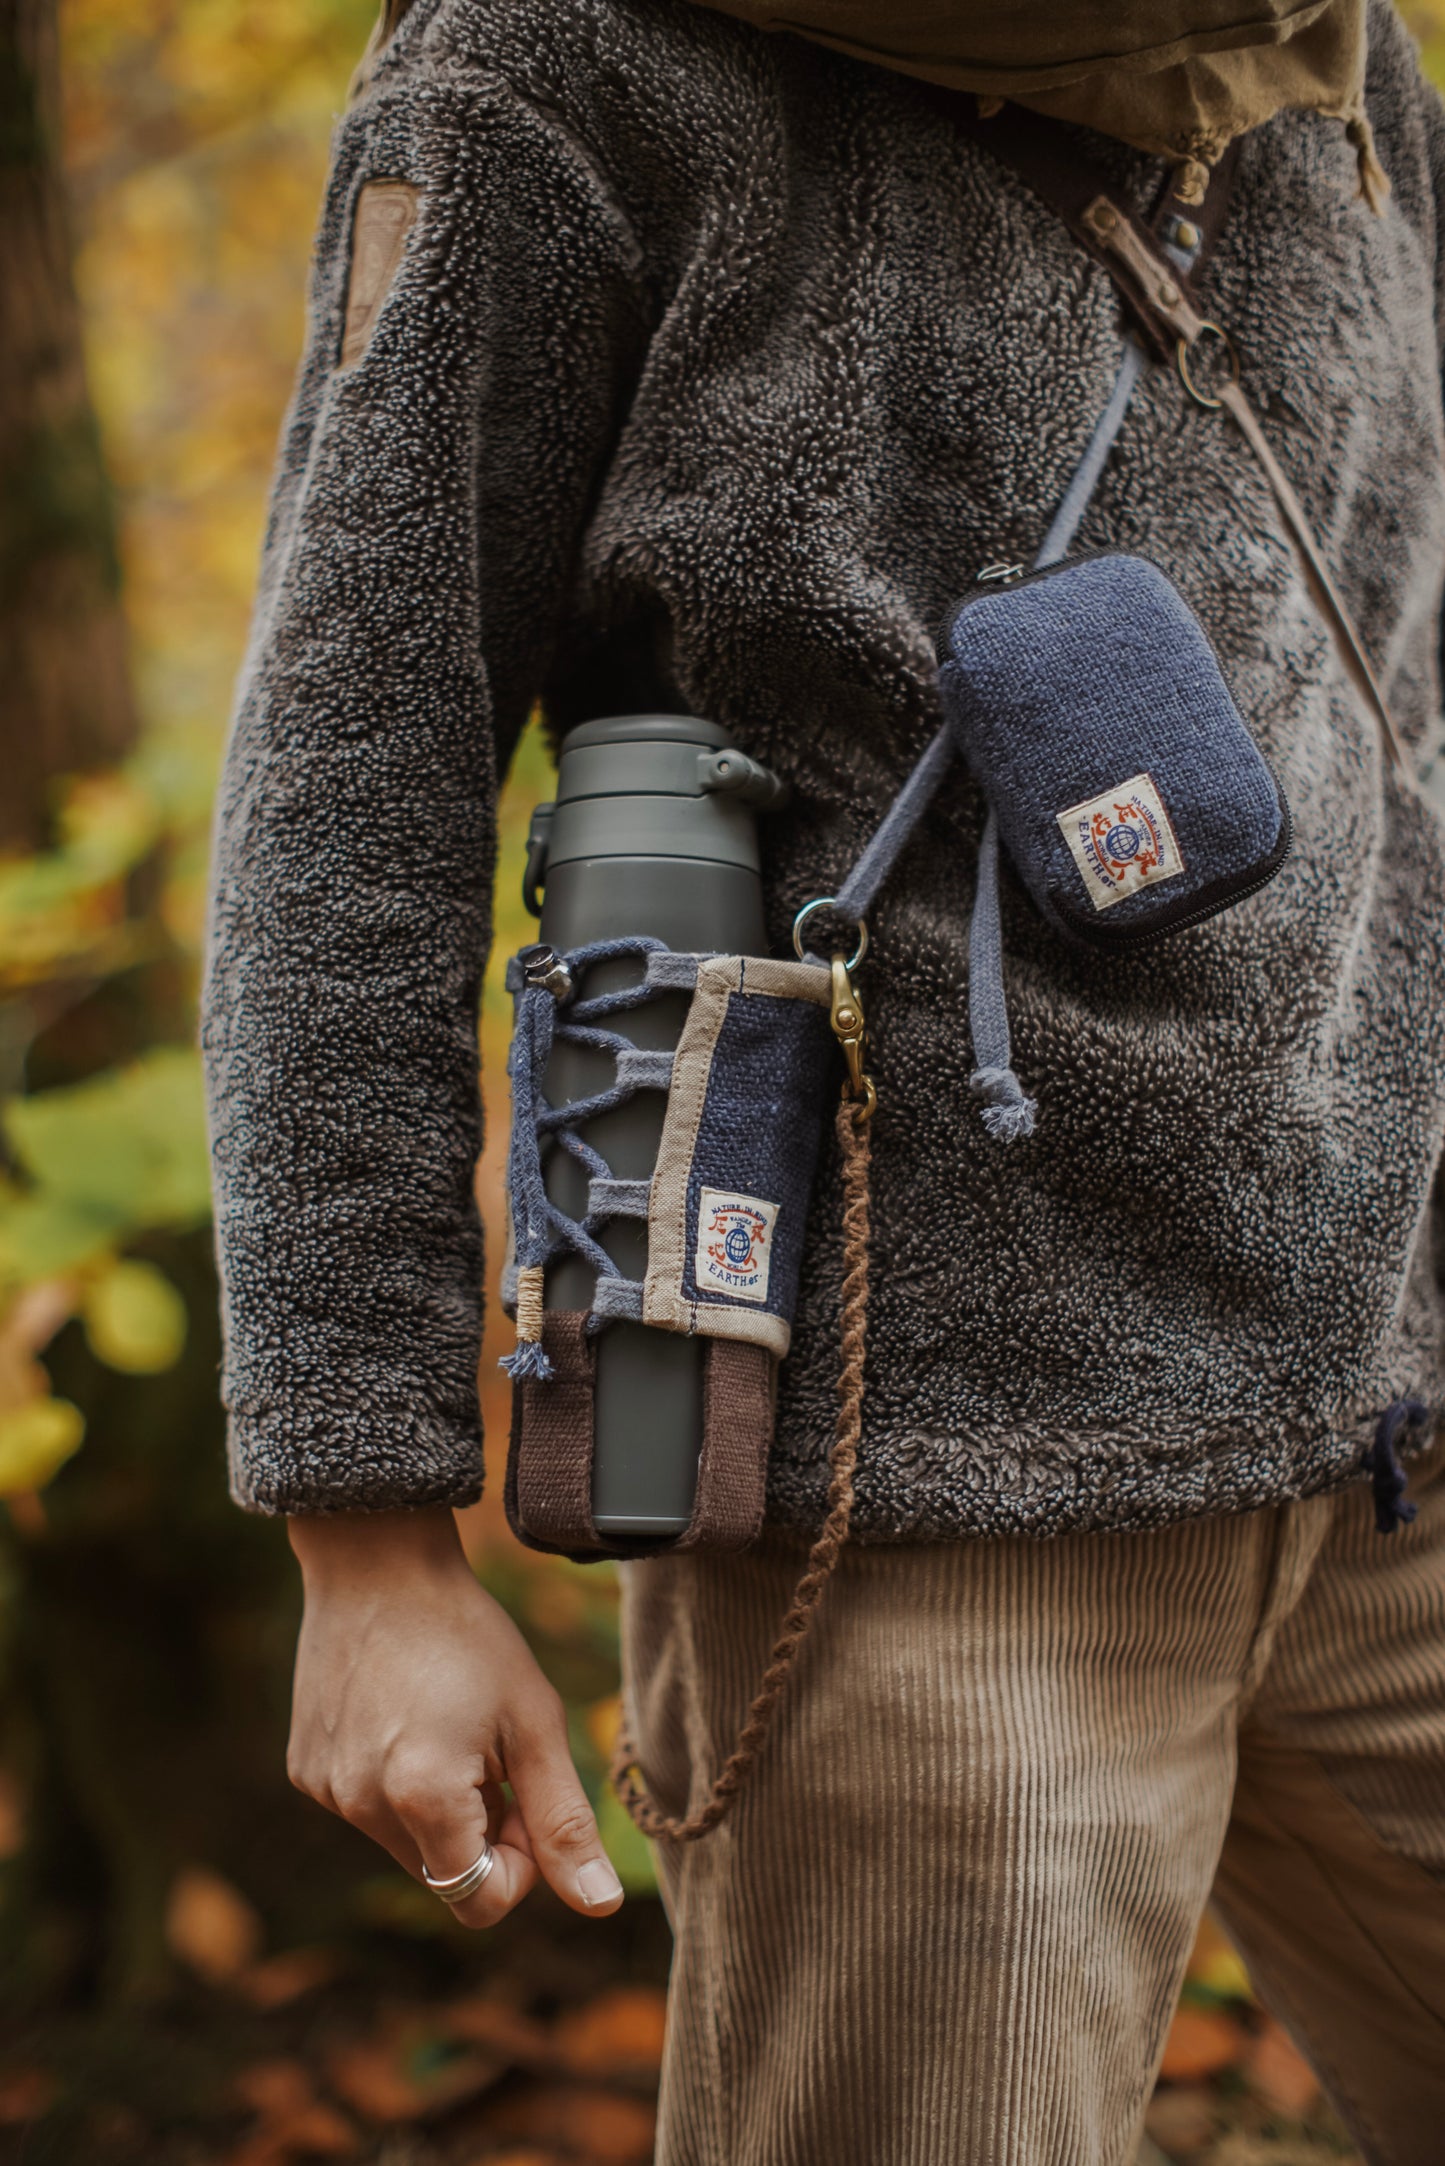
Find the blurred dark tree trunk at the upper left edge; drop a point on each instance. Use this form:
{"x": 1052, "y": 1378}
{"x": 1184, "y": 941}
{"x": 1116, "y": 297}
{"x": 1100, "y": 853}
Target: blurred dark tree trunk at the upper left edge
{"x": 66, "y": 701}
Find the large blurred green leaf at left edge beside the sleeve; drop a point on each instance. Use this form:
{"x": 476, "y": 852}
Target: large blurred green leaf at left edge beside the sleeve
{"x": 129, "y": 1145}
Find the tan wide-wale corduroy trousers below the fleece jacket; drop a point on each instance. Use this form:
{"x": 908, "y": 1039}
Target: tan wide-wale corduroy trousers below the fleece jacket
{"x": 950, "y": 1916}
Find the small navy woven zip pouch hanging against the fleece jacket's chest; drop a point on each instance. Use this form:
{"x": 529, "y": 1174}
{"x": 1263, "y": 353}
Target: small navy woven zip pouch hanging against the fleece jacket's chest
{"x": 1123, "y": 779}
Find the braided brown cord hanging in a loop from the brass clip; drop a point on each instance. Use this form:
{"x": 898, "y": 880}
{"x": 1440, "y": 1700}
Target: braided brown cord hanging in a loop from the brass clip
{"x": 829, "y": 1548}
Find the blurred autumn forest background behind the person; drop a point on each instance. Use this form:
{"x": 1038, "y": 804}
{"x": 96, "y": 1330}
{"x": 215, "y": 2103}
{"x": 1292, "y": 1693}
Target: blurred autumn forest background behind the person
{"x": 196, "y": 1966}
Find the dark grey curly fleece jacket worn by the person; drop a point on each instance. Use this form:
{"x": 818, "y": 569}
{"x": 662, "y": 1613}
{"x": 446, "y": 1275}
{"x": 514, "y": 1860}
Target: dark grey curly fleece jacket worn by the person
{"x": 714, "y": 369}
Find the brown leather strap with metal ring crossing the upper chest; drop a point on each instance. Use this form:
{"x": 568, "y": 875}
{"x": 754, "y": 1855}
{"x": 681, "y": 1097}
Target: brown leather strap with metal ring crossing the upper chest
{"x": 1167, "y": 311}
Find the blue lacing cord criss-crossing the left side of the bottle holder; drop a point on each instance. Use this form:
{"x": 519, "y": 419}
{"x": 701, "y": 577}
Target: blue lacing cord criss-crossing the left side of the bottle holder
{"x": 543, "y": 1229}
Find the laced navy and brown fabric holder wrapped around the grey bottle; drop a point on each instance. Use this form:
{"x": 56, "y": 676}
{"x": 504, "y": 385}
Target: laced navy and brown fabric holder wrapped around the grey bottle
{"x": 725, "y": 1210}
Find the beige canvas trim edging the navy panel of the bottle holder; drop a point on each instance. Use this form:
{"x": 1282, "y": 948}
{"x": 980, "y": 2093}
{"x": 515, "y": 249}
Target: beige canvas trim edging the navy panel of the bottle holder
{"x": 720, "y": 980}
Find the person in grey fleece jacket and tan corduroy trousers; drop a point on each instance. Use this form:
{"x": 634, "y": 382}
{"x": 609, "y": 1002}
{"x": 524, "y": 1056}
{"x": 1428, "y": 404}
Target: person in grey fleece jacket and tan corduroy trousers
{"x": 664, "y": 358}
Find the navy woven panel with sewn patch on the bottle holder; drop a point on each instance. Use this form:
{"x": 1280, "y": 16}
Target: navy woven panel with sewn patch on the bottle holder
{"x": 757, "y": 1151}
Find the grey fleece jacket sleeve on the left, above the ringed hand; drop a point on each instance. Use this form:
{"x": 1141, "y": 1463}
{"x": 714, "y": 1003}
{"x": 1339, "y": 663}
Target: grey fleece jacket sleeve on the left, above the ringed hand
{"x": 424, "y": 534}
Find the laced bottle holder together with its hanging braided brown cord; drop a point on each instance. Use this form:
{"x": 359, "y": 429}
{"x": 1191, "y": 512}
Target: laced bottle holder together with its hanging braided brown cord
{"x": 725, "y": 1210}
